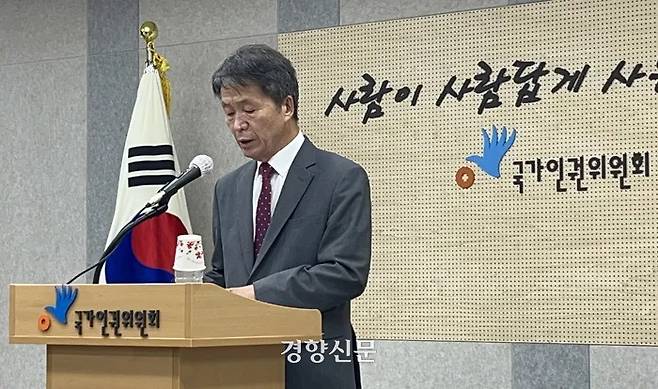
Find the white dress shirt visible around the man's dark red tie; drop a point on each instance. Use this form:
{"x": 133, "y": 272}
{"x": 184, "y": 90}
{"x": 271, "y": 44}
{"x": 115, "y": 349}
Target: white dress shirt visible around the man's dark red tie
{"x": 281, "y": 162}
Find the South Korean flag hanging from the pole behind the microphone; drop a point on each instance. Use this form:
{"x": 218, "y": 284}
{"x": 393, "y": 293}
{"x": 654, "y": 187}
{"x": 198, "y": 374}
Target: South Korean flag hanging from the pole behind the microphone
{"x": 146, "y": 254}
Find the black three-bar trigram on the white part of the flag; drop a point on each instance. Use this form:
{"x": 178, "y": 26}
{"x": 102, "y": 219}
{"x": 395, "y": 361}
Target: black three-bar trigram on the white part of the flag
{"x": 150, "y": 165}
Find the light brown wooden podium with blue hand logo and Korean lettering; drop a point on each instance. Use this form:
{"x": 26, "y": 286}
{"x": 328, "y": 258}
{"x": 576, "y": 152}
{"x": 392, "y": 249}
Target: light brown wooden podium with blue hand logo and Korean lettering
{"x": 173, "y": 336}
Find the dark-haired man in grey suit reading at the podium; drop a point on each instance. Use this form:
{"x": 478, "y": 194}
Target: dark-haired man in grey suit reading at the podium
{"x": 293, "y": 226}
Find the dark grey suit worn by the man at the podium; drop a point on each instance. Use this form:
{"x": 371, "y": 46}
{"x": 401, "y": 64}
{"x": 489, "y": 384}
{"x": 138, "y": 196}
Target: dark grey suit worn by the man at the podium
{"x": 315, "y": 254}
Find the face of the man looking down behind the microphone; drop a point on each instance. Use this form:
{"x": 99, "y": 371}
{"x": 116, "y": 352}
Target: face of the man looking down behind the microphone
{"x": 259, "y": 125}
